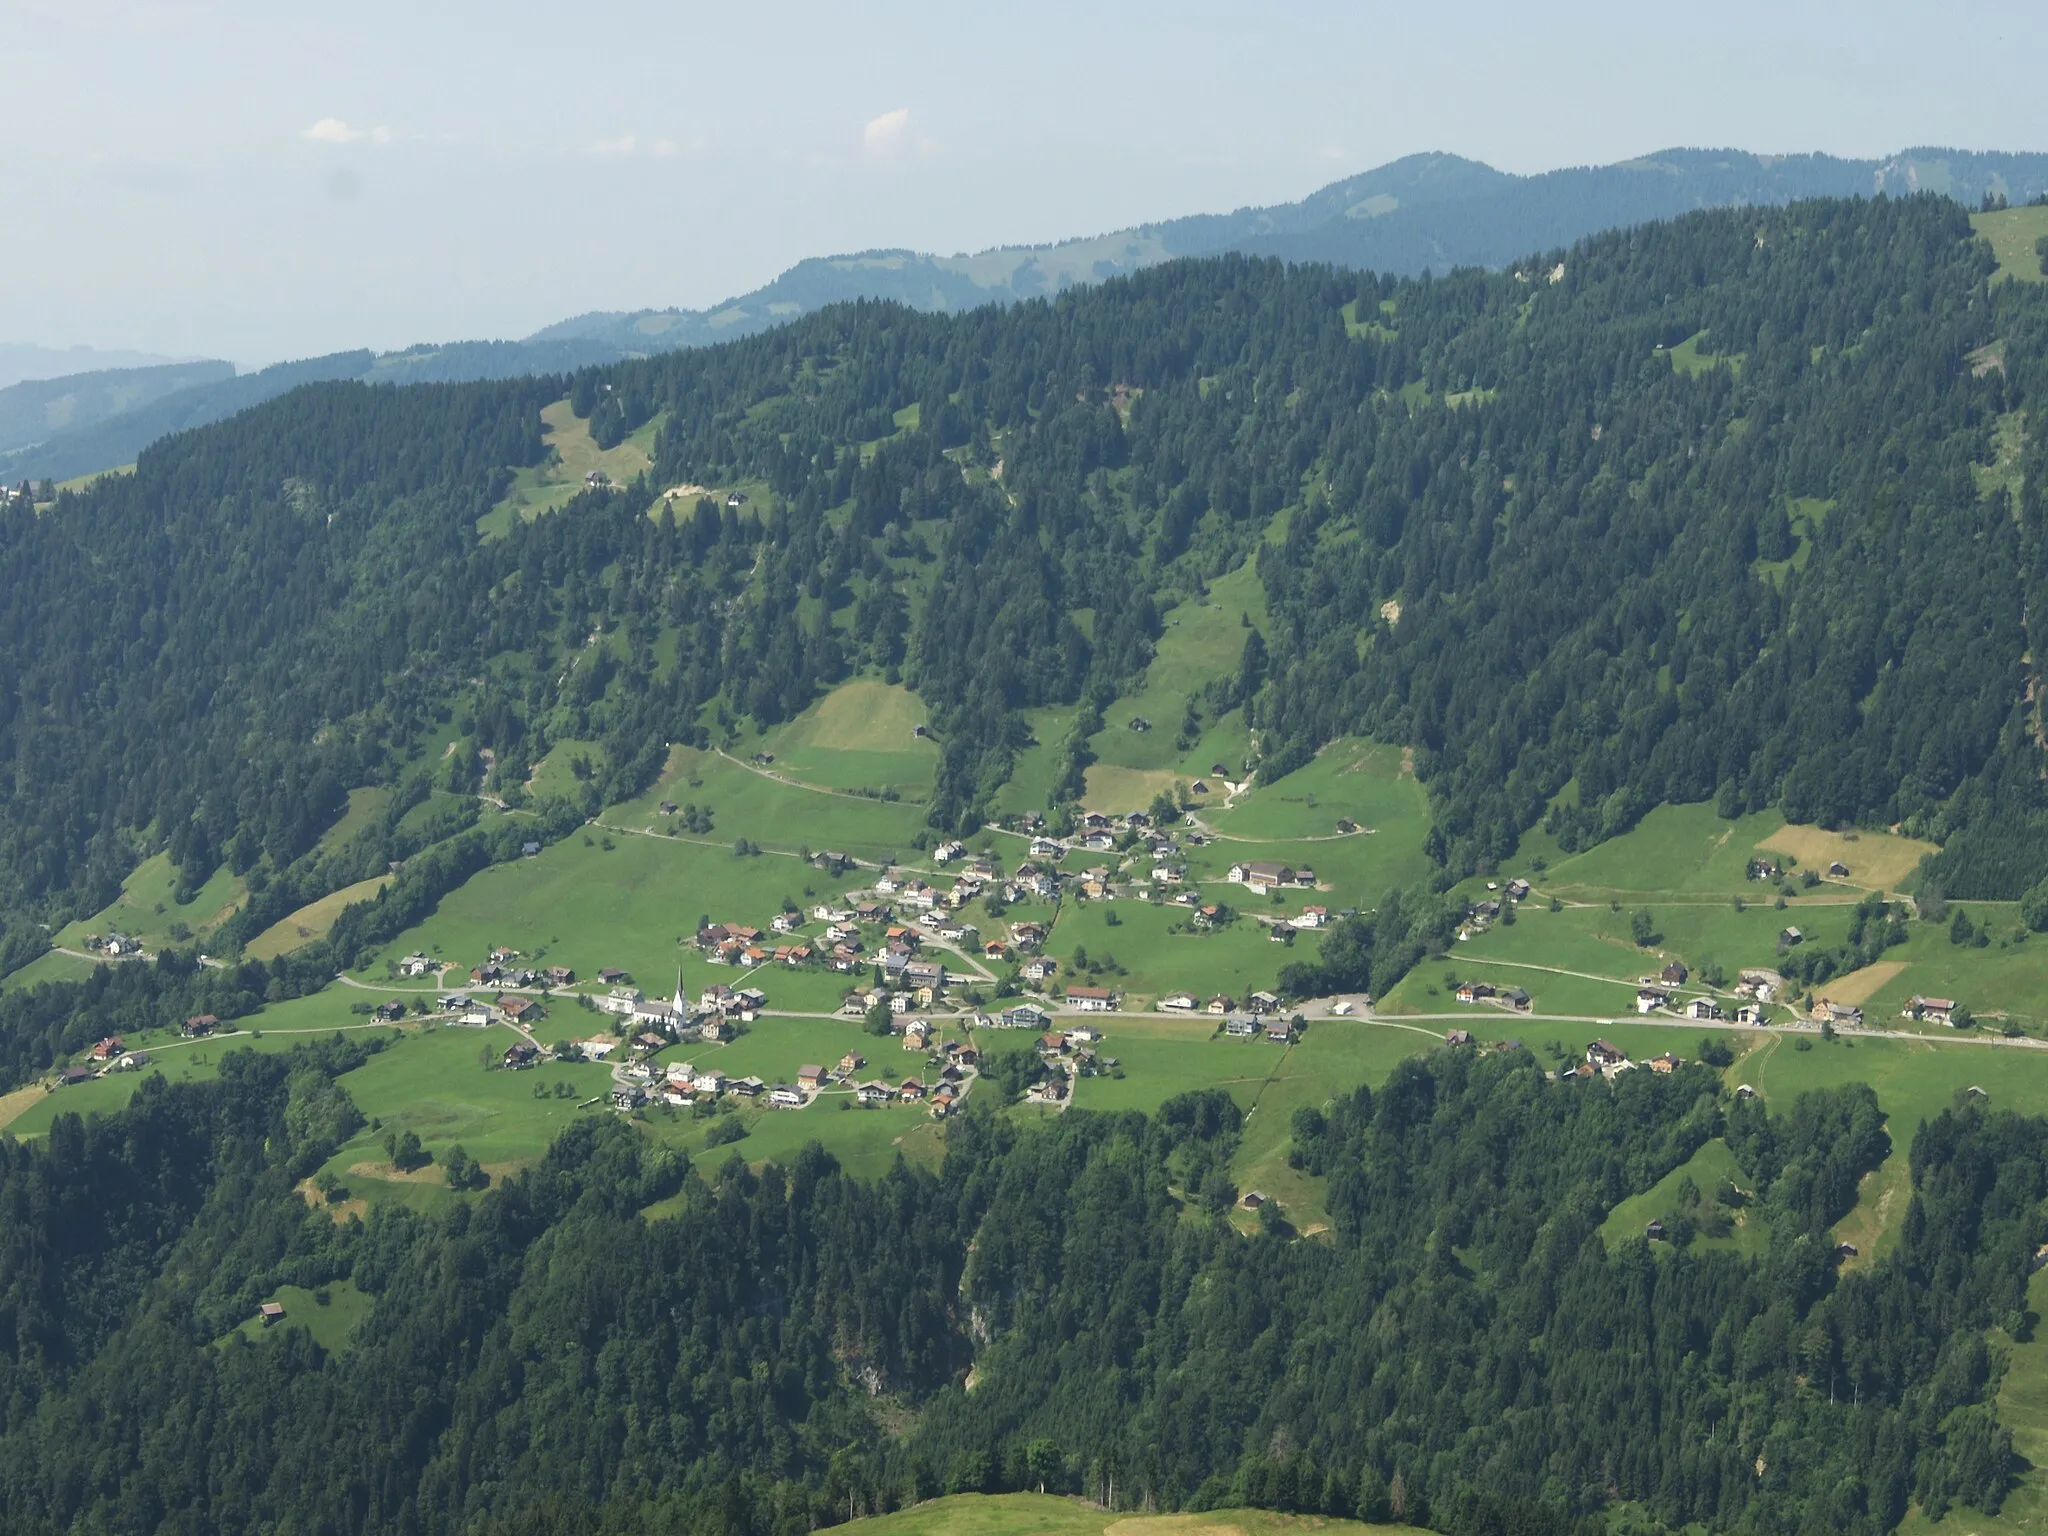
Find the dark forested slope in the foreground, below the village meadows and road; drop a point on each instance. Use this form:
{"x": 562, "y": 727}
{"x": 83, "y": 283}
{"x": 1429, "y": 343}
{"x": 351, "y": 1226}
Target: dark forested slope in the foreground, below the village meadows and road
{"x": 1060, "y": 1308}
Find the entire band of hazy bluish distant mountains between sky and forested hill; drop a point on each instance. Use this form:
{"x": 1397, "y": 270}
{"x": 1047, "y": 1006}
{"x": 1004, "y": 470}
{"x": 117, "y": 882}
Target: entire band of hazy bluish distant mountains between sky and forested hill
{"x": 1424, "y": 212}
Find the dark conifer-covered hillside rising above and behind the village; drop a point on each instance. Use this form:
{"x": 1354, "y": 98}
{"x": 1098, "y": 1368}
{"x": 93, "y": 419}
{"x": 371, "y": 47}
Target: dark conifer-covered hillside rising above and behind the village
{"x": 1689, "y": 513}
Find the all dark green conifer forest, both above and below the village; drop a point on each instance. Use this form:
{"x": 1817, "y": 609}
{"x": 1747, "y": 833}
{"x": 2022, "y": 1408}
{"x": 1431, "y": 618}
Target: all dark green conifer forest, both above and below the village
{"x": 1689, "y": 513}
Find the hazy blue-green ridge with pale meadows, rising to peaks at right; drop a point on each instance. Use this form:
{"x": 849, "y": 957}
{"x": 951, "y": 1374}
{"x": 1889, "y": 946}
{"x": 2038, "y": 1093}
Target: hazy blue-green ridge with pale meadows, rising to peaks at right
{"x": 1422, "y": 212}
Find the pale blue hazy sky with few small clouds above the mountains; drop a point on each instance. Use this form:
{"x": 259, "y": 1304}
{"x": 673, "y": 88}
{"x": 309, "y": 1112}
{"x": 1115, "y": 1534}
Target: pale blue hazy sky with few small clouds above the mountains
{"x": 261, "y": 179}
